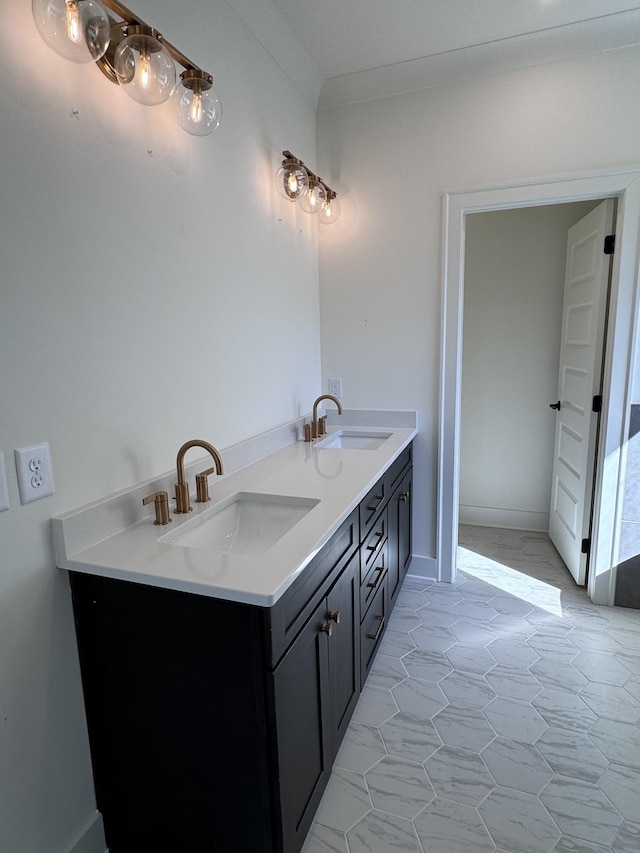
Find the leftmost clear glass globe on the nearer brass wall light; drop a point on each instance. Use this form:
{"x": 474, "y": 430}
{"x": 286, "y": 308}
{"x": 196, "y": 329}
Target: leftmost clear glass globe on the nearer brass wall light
{"x": 79, "y": 30}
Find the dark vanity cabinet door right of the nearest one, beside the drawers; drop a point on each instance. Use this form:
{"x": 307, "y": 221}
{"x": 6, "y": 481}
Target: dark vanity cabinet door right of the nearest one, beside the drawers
{"x": 344, "y": 650}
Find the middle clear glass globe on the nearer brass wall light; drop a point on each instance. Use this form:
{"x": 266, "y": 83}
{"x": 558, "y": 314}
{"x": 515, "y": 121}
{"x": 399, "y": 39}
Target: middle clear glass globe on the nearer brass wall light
{"x": 144, "y": 67}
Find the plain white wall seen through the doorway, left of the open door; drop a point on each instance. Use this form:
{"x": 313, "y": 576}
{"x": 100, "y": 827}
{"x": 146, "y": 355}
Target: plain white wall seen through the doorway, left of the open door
{"x": 514, "y": 282}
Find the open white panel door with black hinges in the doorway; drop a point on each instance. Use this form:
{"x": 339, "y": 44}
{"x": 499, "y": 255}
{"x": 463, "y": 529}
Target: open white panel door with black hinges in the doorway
{"x": 583, "y": 329}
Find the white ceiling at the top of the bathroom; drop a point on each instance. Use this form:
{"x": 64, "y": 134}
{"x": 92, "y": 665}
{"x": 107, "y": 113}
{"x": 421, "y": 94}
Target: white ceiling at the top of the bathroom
{"x": 363, "y": 49}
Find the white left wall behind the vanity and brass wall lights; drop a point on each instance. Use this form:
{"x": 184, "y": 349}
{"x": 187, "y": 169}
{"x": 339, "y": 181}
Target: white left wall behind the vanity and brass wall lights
{"x": 153, "y": 288}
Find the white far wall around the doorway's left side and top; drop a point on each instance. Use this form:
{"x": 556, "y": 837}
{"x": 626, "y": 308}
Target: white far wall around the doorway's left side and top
{"x": 393, "y": 158}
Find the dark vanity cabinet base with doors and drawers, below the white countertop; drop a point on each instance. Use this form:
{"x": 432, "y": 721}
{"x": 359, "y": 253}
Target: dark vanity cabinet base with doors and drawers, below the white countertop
{"x": 213, "y": 724}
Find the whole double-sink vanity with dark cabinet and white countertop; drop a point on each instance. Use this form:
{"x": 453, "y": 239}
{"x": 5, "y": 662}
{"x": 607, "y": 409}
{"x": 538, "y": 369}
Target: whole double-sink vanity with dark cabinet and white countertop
{"x": 223, "y": 653}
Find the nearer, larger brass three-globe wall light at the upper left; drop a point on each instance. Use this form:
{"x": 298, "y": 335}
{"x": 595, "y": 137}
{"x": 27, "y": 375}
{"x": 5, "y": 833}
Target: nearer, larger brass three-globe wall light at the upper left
{"x": 131, "y": 54}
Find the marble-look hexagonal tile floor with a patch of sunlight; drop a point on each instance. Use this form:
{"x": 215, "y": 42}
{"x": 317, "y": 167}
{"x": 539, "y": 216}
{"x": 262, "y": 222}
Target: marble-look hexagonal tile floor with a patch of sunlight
{"x": 502, "y": 715}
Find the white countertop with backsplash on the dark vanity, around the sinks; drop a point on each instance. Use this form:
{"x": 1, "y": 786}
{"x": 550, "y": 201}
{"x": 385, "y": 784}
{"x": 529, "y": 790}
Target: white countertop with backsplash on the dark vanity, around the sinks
{"x": 336, "y": 478}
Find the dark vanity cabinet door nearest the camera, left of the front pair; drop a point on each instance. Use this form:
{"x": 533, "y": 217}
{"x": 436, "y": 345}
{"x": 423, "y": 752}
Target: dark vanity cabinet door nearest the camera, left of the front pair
{"x": 302, "y": 709}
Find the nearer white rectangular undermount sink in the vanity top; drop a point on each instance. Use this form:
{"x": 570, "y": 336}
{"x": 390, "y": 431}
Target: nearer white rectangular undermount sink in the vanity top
{"x": 245, "y": 523}
